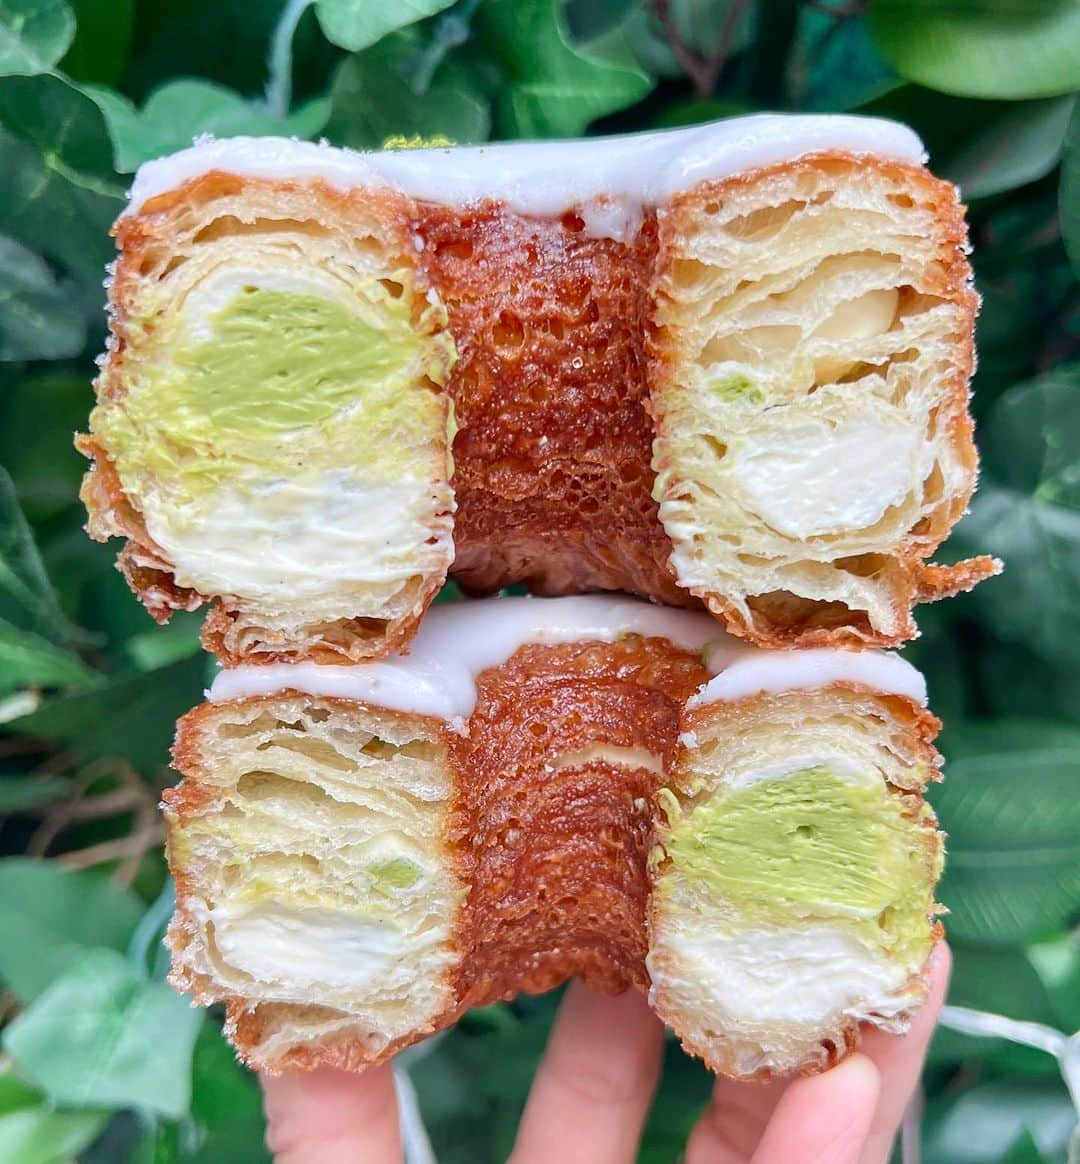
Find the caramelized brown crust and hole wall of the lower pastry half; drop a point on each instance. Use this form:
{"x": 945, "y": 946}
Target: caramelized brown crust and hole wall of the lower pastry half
{"x": 550, "y": 831}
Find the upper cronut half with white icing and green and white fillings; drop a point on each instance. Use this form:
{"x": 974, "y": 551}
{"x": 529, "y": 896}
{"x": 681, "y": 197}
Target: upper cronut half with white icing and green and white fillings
{"x": 723, "y": 366}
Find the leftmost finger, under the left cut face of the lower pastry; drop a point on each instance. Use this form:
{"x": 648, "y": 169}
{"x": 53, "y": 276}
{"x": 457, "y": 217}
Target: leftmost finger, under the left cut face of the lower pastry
{"x": 332, "y": 1118}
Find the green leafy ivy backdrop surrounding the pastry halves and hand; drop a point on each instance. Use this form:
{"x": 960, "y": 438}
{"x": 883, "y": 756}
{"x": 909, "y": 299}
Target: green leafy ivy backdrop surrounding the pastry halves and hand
{"x": 101, "y": 1060}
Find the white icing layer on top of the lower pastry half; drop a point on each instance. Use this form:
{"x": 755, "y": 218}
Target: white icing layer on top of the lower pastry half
{"x": 459, "y": 641}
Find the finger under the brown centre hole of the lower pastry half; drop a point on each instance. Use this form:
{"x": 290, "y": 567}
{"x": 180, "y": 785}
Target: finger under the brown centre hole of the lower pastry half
{"x": 596, "y": 1082}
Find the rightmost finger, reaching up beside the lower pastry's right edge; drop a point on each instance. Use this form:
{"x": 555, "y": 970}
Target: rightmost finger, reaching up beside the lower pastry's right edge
{"x": 900, "y": 1059}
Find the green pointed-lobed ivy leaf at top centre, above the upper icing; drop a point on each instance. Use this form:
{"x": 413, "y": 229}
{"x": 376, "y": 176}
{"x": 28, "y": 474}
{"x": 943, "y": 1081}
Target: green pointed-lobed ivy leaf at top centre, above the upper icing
{"x": 552, "y": 89}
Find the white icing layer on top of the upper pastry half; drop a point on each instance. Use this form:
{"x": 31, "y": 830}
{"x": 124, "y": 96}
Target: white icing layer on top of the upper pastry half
{"x": 607, "y": 180}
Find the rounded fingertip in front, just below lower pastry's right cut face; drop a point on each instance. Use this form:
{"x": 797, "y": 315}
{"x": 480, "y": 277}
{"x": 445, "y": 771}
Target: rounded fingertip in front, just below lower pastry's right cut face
{"x": 823, "y": 1119}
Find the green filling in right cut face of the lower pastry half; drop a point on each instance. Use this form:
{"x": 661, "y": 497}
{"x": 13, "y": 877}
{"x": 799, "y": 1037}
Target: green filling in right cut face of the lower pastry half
{"x": 812, "y": 847}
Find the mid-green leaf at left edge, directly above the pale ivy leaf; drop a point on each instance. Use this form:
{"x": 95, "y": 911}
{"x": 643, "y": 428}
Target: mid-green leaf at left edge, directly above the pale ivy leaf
{"x": 49, "y": 915}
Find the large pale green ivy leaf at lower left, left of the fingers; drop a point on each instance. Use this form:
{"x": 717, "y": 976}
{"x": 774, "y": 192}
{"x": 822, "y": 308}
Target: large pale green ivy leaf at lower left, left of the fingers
{"x": 104, "y": 1037}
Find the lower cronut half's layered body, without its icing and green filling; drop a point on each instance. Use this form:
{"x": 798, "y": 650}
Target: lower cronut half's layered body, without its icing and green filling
{"x": 351, "y": 879}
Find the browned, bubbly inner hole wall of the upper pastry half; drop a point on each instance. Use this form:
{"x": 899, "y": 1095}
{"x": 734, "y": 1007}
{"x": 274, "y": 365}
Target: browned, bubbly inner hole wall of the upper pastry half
{"x": 552, "y": 459}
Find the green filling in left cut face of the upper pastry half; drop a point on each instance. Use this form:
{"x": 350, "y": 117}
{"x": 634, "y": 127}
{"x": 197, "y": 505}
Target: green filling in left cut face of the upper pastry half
{"x": 287, "y": 382}
